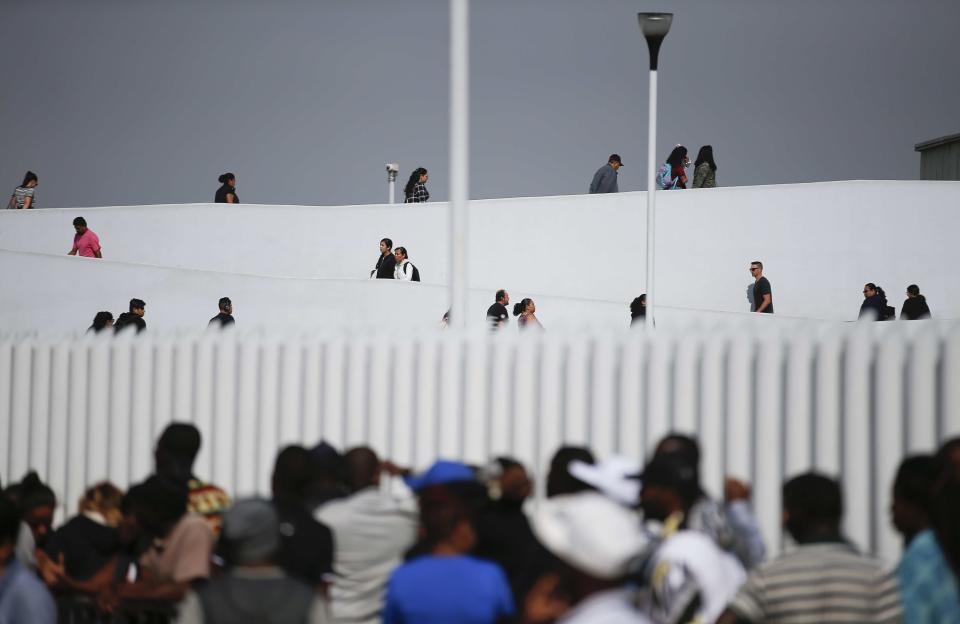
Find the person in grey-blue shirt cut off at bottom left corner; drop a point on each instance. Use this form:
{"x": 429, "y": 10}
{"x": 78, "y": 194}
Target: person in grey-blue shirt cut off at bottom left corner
{"x": 23, "y": 598}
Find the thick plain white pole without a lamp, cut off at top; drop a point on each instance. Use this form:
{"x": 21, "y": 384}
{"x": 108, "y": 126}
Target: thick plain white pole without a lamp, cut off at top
{"x": 459, "y": 155}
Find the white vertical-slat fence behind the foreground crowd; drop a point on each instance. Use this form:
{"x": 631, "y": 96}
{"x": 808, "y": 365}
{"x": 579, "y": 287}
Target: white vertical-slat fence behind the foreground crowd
{"x": 849, "y": 401}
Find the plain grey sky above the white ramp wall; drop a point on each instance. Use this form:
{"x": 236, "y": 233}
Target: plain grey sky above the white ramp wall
{"x": 140, "y": 101}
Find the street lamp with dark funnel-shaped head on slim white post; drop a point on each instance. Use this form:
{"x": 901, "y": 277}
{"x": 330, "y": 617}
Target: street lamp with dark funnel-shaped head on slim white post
{"x": 655, "y": 27}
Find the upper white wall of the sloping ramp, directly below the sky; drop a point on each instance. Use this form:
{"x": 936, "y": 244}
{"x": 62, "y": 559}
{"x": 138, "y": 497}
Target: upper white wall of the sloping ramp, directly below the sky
{"x": 820, "y": 243}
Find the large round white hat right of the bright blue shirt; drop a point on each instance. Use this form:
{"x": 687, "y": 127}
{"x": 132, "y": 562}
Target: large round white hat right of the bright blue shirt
{"x": 591, "y": 533}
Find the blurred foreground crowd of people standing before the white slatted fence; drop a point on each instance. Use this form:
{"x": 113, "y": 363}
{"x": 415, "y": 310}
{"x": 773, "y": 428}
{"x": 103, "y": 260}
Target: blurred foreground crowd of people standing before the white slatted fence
{"x": 352, "y": 538}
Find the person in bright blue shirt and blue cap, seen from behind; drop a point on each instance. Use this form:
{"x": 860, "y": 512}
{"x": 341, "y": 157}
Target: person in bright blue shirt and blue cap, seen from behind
{"x": 445, "y": 584}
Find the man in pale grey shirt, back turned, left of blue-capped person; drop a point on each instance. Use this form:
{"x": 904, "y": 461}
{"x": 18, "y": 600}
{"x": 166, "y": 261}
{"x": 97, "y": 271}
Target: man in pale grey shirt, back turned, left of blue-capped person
{"x": 372, "y": 529}
